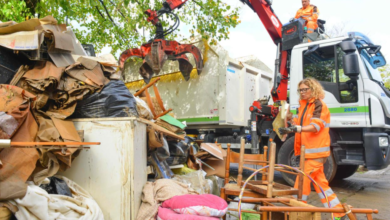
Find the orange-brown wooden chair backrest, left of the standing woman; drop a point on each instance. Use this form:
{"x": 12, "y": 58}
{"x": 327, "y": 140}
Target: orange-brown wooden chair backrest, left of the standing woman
{"x": 252, "y": 159}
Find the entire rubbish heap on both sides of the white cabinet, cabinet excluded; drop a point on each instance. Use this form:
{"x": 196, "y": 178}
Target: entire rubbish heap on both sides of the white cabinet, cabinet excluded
{"x": 47, "y": 78}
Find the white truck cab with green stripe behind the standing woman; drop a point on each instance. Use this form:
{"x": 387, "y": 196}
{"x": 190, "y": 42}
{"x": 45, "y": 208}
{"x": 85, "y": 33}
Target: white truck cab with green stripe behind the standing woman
{"x": 347, "y": 68}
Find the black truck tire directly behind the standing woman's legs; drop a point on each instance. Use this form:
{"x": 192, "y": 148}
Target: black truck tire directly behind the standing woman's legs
{"x": 286, "y": 156}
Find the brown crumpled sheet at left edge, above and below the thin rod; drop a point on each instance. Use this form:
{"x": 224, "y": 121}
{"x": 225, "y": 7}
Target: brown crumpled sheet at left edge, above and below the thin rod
{"x": 18, "y": 164}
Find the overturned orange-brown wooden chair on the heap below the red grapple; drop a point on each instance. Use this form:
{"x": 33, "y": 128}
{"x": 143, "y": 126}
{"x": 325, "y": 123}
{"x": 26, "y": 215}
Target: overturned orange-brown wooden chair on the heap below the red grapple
{"x": 155, "y": 103}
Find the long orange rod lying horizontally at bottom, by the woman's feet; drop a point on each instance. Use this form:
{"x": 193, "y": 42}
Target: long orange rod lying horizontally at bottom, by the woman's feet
{"x": 315, "y": 209}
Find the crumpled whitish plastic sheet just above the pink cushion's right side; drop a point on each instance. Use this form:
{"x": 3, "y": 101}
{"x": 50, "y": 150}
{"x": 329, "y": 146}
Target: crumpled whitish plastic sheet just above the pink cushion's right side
{"x": 196, "y": 180}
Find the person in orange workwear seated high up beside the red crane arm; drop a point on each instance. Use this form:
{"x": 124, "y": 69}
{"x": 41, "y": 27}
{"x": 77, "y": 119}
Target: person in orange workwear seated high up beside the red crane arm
{"x": 310, "y": 14}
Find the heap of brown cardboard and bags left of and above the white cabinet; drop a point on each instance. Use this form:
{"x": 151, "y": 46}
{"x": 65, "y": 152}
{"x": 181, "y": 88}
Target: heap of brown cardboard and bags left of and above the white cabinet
{"x": 46, "y": 77}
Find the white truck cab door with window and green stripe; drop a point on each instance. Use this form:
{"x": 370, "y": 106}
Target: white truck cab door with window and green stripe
{"x": 343, "y": 96}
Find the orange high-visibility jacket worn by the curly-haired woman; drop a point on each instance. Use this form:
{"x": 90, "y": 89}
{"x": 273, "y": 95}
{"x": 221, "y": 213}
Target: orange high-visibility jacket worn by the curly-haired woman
{"x": 313, "y": 112}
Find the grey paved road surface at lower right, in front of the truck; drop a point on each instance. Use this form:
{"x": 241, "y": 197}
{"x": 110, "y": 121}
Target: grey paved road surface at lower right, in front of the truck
{"x": 362, "y": 190}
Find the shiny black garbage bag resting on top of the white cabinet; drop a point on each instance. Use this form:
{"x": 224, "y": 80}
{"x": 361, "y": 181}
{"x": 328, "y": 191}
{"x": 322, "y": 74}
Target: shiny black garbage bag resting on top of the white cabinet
{"x": 114, "y": 100}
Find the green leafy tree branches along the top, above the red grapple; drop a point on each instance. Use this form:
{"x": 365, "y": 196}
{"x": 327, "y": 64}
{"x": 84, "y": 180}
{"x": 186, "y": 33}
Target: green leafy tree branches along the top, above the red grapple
{"x": 122, "y": 24}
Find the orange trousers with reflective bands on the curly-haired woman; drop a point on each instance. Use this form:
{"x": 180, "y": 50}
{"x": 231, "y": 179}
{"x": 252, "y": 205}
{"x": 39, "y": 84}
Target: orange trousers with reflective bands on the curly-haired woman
{"x": 315, "y": 170}
